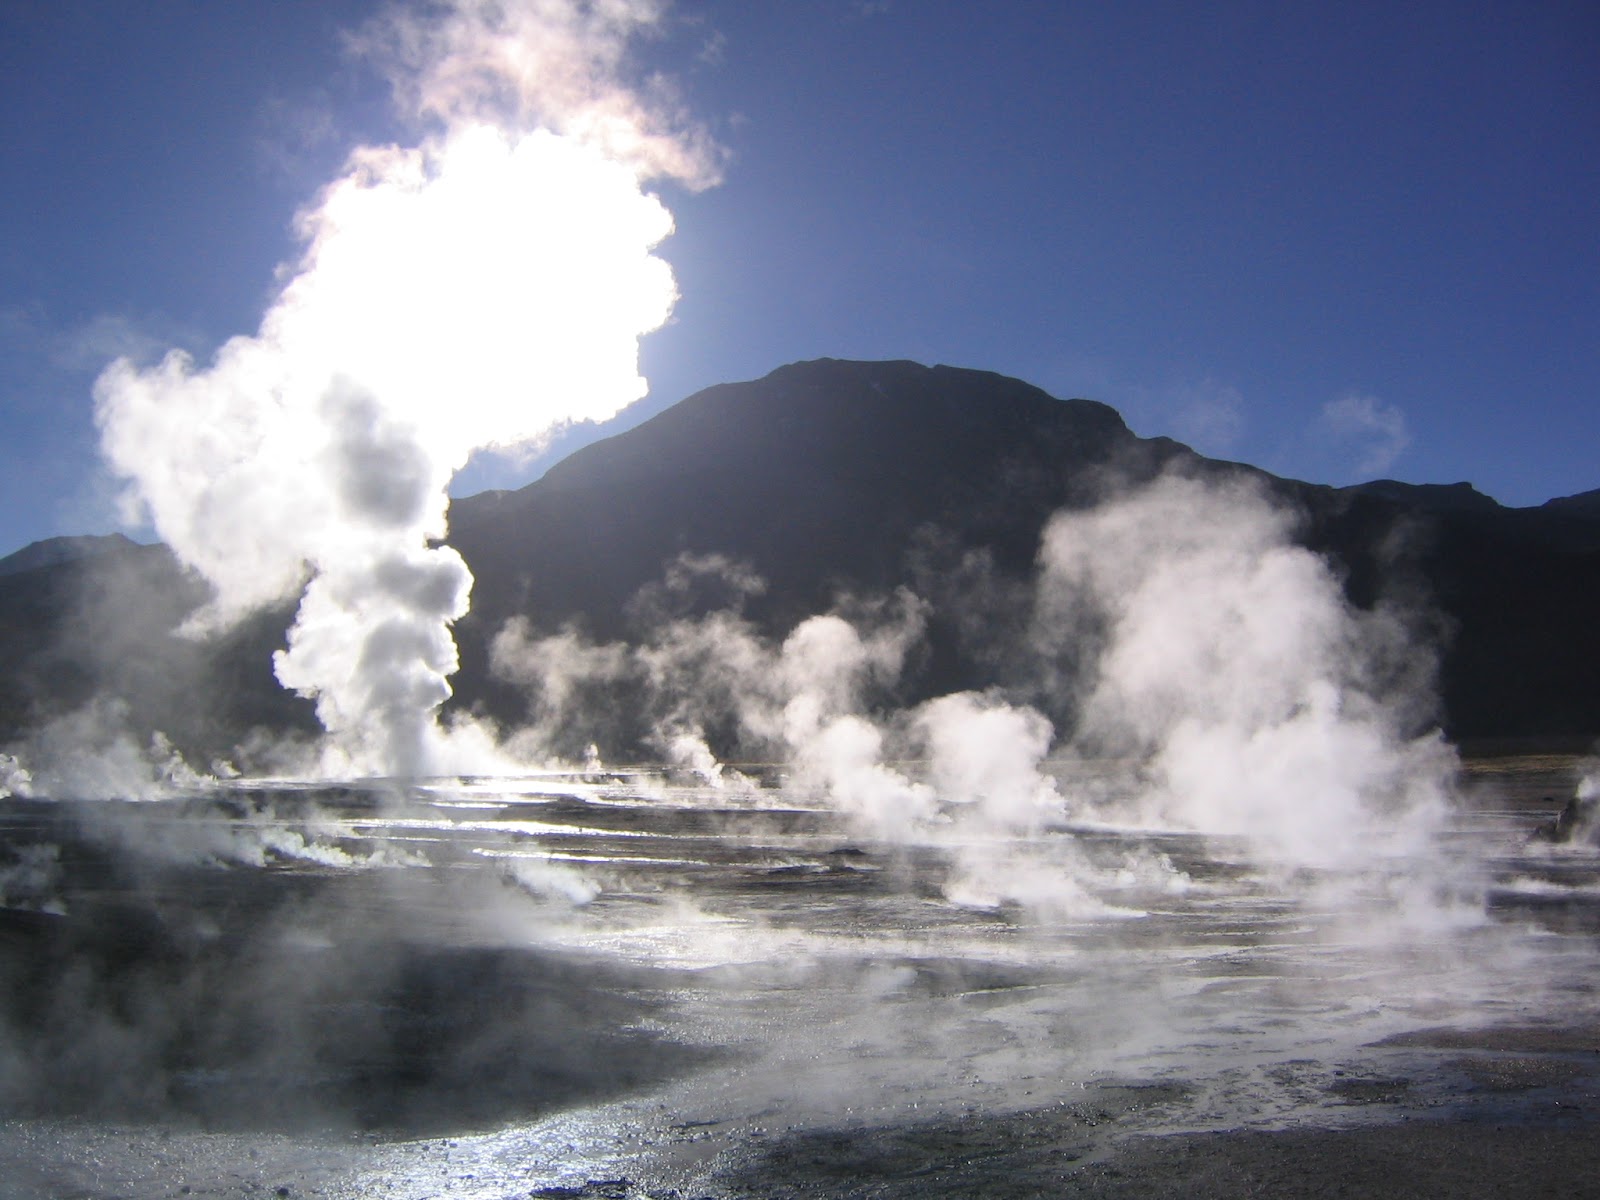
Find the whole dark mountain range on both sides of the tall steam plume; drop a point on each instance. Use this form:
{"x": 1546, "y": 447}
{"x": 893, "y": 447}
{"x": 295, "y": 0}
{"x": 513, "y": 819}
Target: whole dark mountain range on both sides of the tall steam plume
{"x": 842, "y": 478}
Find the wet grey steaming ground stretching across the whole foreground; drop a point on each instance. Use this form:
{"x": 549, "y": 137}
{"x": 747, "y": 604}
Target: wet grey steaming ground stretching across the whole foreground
{"x": 639, "y": 988}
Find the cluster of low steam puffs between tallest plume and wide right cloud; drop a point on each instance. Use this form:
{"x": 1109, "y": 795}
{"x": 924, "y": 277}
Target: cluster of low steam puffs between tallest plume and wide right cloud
{"x": 961, "y": 772}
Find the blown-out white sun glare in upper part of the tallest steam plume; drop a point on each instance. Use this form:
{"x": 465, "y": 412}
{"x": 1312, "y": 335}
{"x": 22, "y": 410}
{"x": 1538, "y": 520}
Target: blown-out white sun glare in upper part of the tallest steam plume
{"x": 489, "y": 289}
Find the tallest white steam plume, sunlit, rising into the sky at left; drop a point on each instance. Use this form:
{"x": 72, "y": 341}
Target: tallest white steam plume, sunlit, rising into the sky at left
{"x": 478, "y": 290}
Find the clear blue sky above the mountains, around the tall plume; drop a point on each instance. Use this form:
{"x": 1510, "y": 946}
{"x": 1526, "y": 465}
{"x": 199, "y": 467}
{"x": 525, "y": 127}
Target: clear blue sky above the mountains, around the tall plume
{"x": 1335, "y": 241}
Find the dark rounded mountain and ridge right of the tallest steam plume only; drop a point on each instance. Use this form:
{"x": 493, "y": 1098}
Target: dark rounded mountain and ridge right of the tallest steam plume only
{"x": 858, "y": 478}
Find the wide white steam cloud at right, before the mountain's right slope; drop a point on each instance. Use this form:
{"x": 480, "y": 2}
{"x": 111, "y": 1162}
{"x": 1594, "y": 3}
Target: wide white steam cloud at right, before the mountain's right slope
{"x": 1231, "y": 663}
